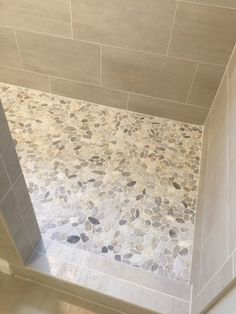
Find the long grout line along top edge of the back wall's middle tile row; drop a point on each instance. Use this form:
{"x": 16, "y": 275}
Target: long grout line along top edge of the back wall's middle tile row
{"x": 120, "y": 47}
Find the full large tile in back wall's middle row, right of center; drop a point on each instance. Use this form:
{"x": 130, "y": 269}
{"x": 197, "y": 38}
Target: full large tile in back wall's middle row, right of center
{"x": 142, "y": 73}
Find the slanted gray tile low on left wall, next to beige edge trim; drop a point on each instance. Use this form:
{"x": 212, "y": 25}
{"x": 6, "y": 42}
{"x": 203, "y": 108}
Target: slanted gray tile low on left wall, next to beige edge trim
{"x": 16, "y": 227}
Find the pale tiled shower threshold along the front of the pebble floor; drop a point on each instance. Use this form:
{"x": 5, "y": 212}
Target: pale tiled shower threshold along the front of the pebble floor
{"x": 105, "y": 281}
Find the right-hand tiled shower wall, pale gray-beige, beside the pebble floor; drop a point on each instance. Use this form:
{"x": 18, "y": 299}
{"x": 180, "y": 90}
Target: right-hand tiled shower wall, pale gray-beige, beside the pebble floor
{"x": 215, "y": 235}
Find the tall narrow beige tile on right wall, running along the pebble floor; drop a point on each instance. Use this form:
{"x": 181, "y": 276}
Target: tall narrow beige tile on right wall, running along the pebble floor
{"x": 216, "y": 172}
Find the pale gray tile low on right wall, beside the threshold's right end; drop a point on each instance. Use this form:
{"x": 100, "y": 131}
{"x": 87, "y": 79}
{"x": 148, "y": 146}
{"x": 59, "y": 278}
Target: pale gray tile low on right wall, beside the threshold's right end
{"x": 214, "y": 250}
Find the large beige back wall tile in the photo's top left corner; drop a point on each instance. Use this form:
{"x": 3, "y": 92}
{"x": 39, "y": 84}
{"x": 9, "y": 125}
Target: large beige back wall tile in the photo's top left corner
{"x": 49, "y": 16}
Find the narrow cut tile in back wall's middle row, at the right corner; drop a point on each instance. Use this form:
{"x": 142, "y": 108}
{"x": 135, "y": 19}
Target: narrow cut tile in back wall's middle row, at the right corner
{"x": 205, "y": 85}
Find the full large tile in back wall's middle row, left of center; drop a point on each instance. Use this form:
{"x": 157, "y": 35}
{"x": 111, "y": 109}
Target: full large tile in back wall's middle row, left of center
{"x": 60, "y": 57}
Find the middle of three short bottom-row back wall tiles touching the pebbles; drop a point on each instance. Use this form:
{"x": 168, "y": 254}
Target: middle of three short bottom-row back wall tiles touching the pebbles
{"x": 89, "y": 93}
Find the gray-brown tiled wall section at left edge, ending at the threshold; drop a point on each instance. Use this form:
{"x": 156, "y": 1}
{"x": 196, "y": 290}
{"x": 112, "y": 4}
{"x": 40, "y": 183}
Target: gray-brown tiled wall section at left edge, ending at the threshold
{"x": 19, "y": 232}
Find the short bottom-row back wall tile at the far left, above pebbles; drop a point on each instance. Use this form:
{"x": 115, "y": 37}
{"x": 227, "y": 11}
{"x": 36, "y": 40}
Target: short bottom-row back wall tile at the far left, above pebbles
{"x": 24, "y": 78}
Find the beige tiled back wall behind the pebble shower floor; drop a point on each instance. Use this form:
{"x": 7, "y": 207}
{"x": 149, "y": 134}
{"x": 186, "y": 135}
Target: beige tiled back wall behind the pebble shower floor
{"x": 161, "y": 57}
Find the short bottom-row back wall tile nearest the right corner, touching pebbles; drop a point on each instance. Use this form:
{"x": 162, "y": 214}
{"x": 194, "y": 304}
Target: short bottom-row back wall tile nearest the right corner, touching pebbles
{"x": 167, "y": 109}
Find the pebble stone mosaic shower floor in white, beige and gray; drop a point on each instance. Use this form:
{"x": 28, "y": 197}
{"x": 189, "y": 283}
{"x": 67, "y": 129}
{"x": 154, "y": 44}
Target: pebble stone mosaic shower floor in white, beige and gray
{"x": 113, "y": 182}
